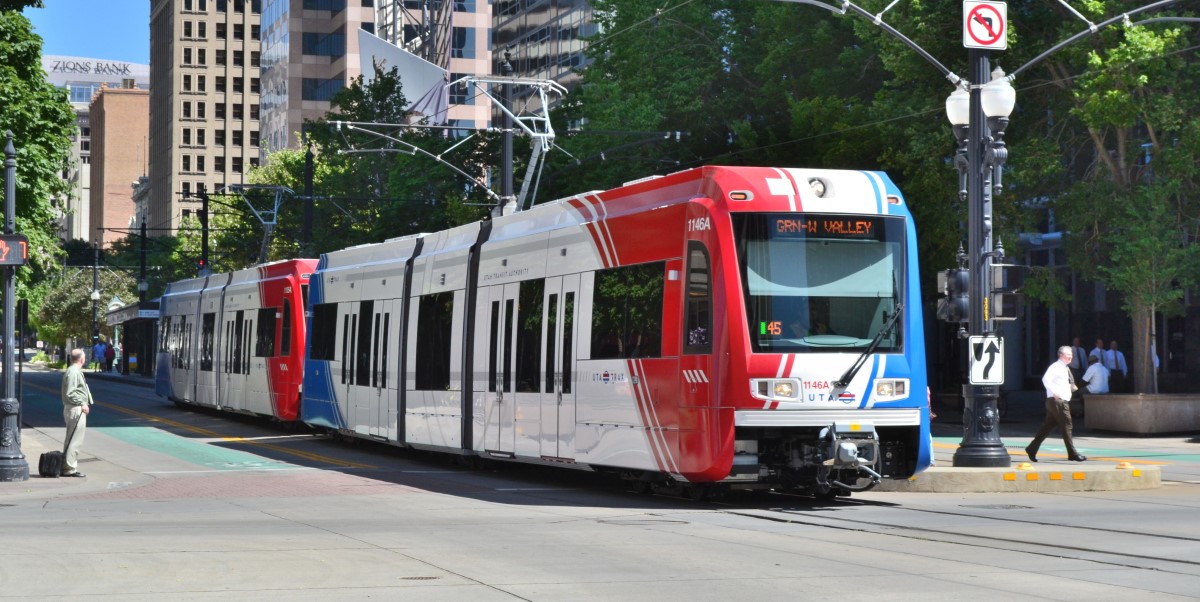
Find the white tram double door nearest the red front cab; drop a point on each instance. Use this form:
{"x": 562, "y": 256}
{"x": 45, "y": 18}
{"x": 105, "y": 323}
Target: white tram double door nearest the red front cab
{"x": 559, "y": 368}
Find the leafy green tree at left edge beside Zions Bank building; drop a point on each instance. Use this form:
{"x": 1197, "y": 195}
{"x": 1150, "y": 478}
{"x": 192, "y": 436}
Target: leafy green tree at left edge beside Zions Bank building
{"x": 41, "y": 119}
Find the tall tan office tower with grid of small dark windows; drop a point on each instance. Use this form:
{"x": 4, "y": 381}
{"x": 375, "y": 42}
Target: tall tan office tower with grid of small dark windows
{"x": 205, "y": 104}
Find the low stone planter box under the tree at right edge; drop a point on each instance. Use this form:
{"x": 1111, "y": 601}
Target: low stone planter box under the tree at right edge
{"x": 1144, "y": 414}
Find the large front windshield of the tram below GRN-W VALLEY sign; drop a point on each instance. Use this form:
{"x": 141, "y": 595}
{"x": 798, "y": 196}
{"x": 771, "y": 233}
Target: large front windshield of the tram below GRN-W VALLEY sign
{"x": 820, "y": 282}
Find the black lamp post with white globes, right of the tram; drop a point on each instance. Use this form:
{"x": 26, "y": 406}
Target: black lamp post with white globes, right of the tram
{"x": 981, "y": 113}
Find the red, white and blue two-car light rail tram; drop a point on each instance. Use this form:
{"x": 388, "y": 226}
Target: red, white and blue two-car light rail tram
{"x": 742, "y": 327}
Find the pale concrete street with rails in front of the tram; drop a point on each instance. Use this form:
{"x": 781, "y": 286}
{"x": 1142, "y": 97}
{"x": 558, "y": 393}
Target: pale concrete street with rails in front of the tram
{"x": 184, "y": 505}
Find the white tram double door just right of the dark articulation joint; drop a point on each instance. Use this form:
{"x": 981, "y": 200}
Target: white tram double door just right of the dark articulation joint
{"x": 499, "y": 317}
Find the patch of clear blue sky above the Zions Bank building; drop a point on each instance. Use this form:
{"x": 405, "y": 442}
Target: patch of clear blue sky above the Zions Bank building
{"x": 117, "y": 31}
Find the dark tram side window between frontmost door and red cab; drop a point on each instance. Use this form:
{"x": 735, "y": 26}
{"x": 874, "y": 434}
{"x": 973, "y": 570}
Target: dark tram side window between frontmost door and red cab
{"x": 627, "y": 312}
